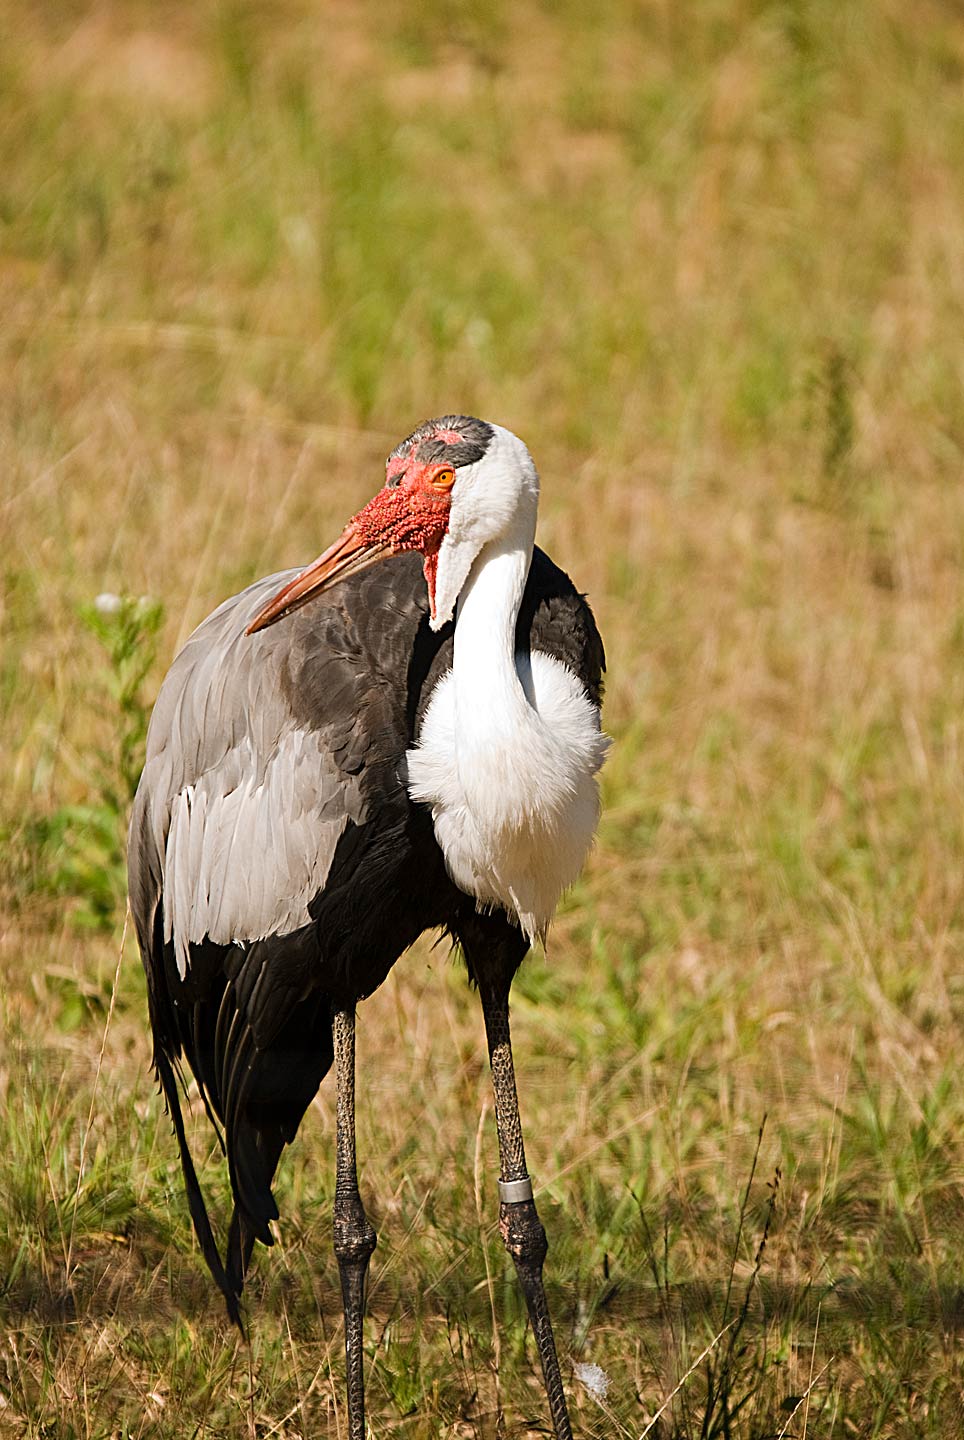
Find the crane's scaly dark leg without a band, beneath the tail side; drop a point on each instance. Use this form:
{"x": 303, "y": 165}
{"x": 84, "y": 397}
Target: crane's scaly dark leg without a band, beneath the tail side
{"x": 354, "y": 1232}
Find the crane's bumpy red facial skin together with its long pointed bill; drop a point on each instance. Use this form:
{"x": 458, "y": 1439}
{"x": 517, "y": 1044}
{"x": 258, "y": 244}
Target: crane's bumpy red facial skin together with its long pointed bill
{"x": 411, "y": 513}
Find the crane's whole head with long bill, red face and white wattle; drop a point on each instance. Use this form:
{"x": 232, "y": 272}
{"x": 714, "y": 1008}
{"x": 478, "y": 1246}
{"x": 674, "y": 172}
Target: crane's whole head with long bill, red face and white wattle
{"x": 434, "y": 480}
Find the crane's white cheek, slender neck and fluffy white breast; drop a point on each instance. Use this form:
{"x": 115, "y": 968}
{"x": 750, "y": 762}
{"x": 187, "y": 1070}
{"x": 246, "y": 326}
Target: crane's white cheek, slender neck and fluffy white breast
{"x": 511, "y": 744}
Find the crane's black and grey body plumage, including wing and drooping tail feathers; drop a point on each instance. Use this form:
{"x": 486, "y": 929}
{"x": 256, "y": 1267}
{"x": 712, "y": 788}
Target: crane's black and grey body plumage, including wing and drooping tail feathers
{"x": 334, "y": 698}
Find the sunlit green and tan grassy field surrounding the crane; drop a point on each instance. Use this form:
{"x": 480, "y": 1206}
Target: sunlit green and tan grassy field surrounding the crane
{"x": 710, "y": 263}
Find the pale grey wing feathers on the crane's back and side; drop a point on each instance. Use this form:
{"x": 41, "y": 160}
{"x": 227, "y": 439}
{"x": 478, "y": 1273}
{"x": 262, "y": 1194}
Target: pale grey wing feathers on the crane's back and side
{"x": 241, "y": 804}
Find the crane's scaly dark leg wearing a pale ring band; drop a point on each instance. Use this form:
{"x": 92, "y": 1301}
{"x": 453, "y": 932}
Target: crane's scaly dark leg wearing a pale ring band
{"x": 519, "y": 1223}
